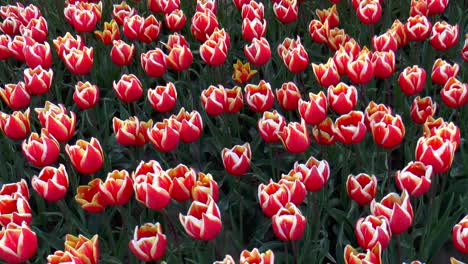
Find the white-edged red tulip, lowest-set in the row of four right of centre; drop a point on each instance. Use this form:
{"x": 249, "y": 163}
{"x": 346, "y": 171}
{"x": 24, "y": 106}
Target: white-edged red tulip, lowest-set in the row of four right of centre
{"x": 314, "y": 111}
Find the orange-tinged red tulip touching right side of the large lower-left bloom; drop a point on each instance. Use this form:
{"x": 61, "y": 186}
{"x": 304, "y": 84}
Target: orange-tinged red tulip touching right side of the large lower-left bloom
{"x": 183, "y": 179}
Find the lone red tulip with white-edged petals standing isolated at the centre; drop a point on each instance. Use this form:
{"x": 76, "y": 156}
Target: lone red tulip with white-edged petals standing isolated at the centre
{"x": 237, "y": 160}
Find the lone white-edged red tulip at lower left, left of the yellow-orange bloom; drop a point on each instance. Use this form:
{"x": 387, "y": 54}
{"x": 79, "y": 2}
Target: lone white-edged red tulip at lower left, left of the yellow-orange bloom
{"x": 51, "y": 183}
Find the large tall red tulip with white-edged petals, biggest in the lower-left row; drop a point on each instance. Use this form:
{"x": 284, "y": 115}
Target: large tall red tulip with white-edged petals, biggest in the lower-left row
{"x": 151, "y": 184}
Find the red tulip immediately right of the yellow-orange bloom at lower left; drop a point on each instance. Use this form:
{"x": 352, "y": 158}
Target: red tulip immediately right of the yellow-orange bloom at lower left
{"x": 117, "y": 189}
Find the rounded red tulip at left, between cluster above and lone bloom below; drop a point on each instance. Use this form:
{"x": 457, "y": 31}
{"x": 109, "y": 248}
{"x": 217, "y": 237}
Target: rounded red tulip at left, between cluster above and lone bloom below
{"x": 41, "y": 150}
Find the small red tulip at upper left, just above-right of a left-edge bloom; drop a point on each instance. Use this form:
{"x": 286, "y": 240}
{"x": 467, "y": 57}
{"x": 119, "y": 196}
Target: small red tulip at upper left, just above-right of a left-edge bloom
{"x": 38, "y": 80}
